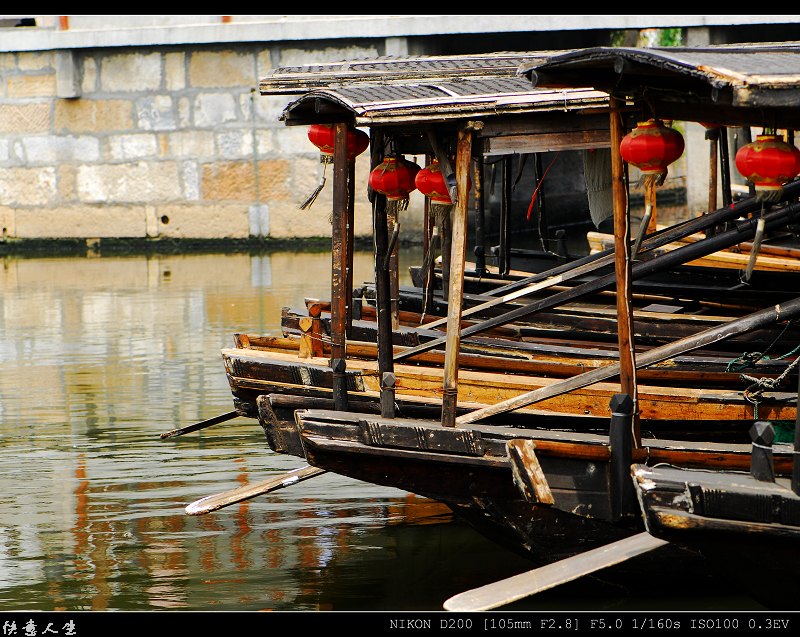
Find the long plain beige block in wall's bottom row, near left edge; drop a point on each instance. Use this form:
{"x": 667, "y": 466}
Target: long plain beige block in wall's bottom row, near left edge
{"x": 80, "y": 221}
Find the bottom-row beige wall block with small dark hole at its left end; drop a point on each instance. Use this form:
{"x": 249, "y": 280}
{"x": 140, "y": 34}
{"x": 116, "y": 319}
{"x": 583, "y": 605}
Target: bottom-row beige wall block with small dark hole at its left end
{"x": 202, "y": 221}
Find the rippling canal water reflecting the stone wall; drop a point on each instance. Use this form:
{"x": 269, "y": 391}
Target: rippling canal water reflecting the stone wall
{"x": 101, "y": 355}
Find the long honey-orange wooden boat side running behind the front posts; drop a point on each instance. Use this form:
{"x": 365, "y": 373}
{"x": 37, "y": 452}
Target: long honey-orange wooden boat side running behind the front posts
{"x": 258, "y": 370}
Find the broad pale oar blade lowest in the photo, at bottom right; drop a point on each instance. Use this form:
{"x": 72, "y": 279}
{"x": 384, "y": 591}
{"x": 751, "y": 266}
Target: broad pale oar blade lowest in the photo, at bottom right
{"x": 540, "y": 579}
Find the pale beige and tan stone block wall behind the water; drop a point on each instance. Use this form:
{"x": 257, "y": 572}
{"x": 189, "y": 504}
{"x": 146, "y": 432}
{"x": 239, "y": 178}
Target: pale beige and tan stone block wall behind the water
{"x": 160, "y": 142}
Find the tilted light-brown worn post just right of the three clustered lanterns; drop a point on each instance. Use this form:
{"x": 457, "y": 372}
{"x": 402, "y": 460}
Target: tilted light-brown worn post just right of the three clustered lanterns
{"x": 457, "y": 263}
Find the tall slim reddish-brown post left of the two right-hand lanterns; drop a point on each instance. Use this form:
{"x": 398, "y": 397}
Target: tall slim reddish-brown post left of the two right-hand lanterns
{"x": 622, "y": 267}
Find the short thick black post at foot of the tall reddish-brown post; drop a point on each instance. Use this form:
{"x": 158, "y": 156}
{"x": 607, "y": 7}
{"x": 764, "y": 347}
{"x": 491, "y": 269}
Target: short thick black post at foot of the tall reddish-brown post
{"x": 623, "y": 496}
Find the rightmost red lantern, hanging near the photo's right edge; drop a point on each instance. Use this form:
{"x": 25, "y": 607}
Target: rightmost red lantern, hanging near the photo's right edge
{"x": 769, "y": 162}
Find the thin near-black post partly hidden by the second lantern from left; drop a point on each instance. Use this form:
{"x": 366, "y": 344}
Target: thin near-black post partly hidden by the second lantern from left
{"x": 383, "y": 308}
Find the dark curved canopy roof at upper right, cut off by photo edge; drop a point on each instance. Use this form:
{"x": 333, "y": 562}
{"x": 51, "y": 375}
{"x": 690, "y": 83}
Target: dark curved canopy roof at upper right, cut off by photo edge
{"x": 743, "y": 84}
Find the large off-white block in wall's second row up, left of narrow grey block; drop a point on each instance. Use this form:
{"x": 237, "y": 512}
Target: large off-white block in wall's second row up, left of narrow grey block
{"x": 141, "y": 182}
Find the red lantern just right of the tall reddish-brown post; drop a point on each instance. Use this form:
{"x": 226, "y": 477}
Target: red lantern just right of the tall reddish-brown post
{"x": 652, "y": 146}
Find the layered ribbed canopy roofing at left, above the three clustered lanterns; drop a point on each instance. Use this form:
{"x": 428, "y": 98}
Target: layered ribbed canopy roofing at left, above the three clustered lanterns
{"x": 414, "y": 93}
